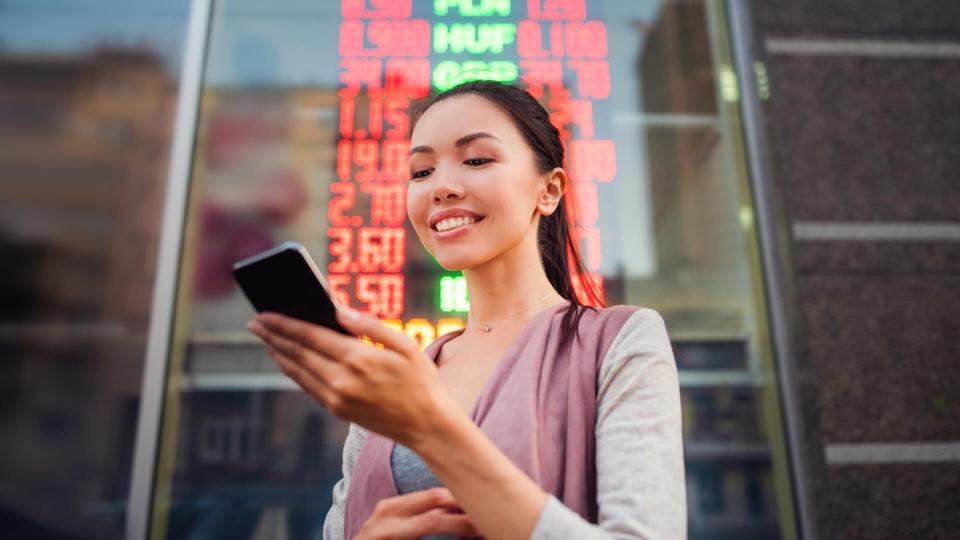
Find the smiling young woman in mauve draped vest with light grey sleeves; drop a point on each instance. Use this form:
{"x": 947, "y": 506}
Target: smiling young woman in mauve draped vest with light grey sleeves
{"x": 542, "y": 418}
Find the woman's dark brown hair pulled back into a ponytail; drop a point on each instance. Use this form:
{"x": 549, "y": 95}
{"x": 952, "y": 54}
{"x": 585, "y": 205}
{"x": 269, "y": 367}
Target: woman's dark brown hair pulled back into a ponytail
{"x": 556, "y": 234}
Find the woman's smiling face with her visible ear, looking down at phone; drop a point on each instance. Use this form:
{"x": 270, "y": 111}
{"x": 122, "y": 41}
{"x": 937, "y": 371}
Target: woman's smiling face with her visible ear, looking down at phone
{"x": 474, "y": 190}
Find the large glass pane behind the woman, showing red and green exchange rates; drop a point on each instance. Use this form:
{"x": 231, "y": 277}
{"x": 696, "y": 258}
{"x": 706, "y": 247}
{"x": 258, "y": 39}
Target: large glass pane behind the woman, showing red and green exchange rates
{"x": 303, "y": 136}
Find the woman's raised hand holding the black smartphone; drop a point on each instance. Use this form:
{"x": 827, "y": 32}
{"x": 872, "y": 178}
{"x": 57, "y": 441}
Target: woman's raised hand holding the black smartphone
{"x": 394, "y": 391}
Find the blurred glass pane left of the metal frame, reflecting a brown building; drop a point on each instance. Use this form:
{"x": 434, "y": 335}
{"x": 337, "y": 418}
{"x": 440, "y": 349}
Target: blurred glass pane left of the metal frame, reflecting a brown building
{"x": 87, "y": 98}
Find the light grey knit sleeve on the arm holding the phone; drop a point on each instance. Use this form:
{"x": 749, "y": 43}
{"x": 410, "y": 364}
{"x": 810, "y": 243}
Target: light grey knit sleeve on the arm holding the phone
{"x": 641, "y": 484}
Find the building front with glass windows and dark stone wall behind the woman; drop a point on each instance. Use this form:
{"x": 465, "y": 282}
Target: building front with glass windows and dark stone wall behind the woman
{"x": 775, "y": 178}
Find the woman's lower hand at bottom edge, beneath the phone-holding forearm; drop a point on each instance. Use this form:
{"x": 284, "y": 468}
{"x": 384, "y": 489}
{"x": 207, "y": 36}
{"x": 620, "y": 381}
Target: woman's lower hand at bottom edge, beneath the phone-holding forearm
{"x": 431, "y": 511}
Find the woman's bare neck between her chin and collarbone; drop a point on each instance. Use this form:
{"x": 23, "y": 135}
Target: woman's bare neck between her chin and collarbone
{"x": 512, "y": 286}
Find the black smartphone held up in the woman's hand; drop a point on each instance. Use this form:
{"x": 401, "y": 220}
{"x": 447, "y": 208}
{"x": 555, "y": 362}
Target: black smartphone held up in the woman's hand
{"x": 284, "y": 279}
